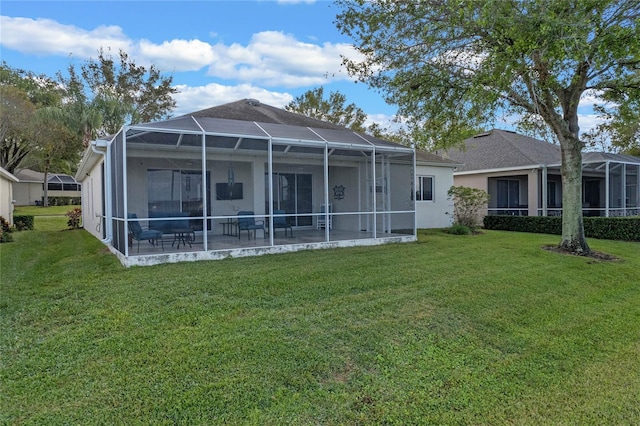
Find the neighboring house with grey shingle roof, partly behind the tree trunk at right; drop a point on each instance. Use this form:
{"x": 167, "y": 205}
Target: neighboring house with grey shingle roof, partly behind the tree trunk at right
{"x": 523, "y": 177}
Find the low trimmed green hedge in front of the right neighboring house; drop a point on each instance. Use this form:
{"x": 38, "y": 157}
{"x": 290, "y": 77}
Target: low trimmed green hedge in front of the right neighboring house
{"x": 607, "y": 228}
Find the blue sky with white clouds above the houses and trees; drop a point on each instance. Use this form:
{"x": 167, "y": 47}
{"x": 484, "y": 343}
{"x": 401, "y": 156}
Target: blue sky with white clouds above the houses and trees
{"x": 216, "y": 51}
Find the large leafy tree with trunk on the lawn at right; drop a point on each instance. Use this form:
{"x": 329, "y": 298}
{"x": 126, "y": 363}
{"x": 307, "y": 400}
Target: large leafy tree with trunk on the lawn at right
{"x": 451, "y": 66}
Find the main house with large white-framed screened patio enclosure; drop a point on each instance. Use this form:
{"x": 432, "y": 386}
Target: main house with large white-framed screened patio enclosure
{"x": 220, "y": 182}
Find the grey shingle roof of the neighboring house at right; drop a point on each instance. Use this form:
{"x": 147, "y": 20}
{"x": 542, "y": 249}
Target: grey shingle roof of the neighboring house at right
{"x": 499, "y": 149}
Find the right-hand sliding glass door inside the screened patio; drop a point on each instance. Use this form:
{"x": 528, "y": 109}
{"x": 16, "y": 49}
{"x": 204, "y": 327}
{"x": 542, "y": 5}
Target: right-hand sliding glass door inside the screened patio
{"x": 292, "y": 192}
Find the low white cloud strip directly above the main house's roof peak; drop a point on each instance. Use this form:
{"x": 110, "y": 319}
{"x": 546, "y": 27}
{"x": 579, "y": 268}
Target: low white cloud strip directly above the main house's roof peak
{"x": 191, "y": 99}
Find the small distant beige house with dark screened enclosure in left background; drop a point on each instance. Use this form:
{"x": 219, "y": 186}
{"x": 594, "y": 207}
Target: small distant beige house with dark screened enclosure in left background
{"x": 30, "y": 189}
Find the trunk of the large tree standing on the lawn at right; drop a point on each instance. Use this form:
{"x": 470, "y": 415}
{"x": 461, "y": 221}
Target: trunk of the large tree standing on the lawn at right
{"x": 573, "y": 238}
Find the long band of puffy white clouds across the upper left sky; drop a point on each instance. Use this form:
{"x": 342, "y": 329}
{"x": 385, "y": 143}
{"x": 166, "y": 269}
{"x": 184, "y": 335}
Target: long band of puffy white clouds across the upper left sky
{"x": 271, "y": 58}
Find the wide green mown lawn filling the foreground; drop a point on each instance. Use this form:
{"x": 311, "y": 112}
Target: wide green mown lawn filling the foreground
{"x": 486, "y": 329}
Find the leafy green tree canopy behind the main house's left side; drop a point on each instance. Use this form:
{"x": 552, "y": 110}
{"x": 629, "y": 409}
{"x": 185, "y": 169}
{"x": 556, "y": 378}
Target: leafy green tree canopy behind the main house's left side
{"x": 45, "y": 123}
